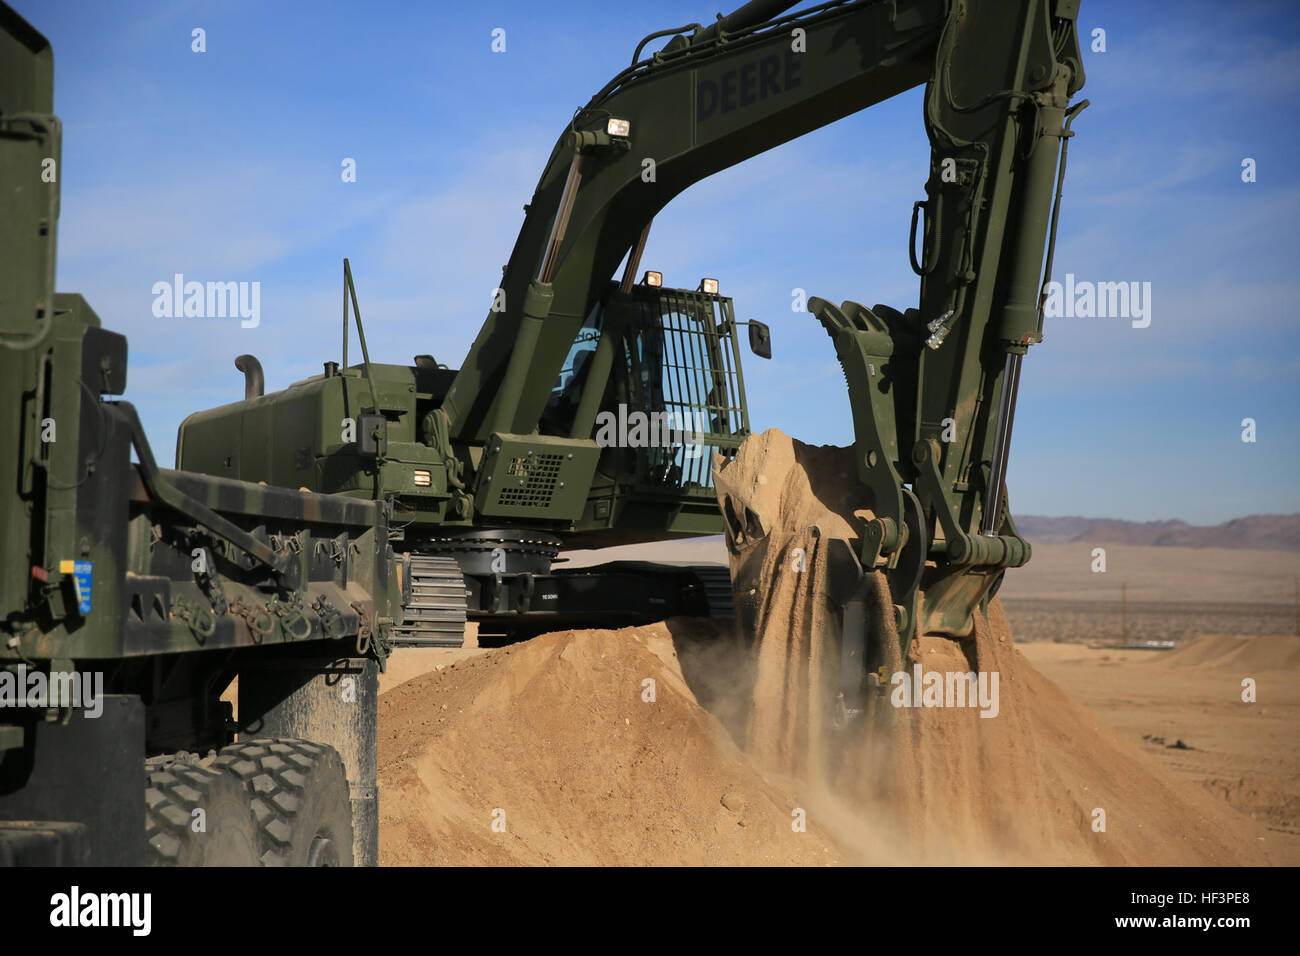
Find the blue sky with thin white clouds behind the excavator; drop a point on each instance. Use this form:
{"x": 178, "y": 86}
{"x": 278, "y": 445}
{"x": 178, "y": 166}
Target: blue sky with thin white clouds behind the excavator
{"x": 226, "y": 166}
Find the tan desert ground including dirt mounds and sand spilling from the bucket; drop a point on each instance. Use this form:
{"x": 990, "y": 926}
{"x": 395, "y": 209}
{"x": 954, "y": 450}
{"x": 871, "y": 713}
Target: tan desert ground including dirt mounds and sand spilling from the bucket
{"x": 673, "y": 745}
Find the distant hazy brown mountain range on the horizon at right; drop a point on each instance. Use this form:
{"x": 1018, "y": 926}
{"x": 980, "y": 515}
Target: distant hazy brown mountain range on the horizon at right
{"x": 1272, "y": 533}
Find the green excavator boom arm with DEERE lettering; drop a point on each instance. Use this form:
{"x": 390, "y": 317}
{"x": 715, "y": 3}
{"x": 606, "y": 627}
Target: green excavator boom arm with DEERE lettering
{"x": 695, "y": 110}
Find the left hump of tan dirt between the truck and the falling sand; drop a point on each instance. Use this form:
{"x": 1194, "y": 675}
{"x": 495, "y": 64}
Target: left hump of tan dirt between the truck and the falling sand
{"x": 560, "y": 751}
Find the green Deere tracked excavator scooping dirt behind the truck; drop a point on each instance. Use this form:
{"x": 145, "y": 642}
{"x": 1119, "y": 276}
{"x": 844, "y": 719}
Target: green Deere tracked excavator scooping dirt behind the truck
{"x": 501, "y": 464}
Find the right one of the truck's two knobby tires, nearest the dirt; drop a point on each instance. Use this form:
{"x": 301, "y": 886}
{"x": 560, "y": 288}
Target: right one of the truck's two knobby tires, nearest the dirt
{"x": 301, "y": 801}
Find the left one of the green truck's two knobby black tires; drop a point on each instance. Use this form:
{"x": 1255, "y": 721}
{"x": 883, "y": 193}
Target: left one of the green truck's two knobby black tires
{"x": 197, "y": 816}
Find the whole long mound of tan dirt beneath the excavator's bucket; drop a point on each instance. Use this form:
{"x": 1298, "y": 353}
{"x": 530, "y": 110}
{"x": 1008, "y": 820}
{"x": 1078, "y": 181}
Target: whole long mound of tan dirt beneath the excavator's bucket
{"x": 554, "y": 742}
